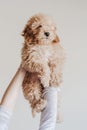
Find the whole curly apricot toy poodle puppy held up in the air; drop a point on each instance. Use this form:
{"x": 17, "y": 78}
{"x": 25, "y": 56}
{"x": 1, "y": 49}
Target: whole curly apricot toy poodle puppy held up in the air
{"x": 42, "y": 57}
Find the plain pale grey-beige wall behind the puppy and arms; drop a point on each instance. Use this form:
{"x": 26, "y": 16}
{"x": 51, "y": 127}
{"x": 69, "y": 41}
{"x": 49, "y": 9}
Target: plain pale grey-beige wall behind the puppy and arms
{"x": 71, "y": 19}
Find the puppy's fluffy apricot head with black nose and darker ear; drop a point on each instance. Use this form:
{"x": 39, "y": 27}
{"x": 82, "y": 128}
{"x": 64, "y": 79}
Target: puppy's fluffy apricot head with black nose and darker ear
{"x": 40, "y": 29}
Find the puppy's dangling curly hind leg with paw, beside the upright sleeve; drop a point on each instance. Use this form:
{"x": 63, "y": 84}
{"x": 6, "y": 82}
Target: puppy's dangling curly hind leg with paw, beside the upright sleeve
{"x": 33, "y": 91}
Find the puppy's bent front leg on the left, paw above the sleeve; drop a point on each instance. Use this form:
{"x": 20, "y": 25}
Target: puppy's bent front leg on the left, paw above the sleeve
{"x": 36, "y": 64}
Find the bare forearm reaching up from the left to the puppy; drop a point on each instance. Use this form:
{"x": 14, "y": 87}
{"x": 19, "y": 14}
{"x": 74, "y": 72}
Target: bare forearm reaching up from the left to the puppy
{"x": 10, "y": 96}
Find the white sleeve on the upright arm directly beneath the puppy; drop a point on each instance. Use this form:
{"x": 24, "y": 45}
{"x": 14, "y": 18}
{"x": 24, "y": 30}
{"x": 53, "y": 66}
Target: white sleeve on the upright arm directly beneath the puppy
{"x": 49, "y": 113}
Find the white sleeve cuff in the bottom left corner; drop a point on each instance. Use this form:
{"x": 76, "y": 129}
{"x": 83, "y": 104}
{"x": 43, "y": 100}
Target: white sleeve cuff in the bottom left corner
{"x": 5, "y": 116}
